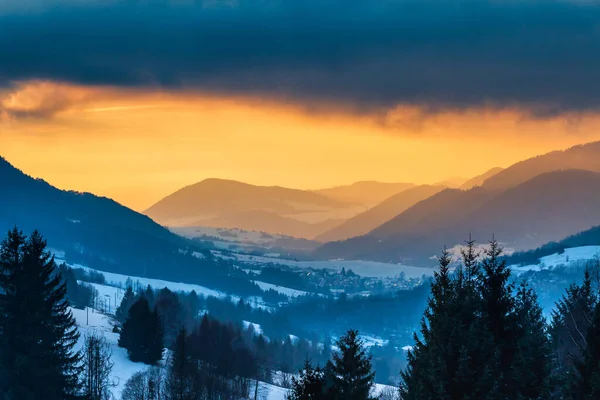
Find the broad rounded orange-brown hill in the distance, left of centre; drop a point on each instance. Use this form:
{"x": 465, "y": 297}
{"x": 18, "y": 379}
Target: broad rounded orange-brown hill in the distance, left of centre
{"x": 217, "y": 198}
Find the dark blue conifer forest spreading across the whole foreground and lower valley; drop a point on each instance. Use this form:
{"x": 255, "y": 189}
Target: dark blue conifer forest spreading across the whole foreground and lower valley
{"x": 482, "y": 335}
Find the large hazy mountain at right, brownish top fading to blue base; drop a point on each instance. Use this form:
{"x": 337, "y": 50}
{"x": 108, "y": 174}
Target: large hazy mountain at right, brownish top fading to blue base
{"x": 547, "y": 207}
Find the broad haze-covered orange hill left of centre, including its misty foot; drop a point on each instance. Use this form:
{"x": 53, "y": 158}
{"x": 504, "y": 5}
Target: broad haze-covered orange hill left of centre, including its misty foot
{"x": 273, "y": 209}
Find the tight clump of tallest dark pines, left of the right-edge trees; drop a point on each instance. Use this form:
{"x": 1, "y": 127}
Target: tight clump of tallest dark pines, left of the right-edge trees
{"x": 477, "y": 341}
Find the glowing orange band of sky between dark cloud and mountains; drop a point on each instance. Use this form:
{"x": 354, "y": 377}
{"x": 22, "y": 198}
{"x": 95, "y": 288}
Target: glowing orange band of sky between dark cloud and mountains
{"x": 139, "y": 146}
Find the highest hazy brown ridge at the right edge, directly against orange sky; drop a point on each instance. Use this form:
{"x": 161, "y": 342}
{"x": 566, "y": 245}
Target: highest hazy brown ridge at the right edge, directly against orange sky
{"x": 583, "y": 157}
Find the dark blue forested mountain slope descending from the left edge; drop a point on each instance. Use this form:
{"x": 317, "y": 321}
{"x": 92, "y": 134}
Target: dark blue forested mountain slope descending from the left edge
{"x": 103, "y": 234}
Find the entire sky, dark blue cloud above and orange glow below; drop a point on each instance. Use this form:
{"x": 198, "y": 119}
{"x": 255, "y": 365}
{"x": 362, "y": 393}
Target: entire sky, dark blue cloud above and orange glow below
{"x": 136, "y": 99}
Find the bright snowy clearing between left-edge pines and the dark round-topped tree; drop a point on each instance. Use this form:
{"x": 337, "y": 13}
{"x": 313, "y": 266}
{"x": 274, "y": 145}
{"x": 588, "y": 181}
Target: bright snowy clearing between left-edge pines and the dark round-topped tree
{"x": 123, "y": 368}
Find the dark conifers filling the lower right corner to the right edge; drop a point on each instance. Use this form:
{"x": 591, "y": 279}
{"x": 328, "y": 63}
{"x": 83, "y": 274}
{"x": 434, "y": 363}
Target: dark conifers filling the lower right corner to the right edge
{"x": 484, "y": 336}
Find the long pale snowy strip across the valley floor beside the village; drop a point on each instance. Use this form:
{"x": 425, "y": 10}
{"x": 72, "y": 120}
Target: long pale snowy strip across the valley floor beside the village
{"x": 364, "y": 268}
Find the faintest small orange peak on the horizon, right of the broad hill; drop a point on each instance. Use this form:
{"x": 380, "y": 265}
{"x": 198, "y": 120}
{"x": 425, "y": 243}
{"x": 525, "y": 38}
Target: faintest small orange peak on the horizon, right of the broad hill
{"x": 368, "y": 193}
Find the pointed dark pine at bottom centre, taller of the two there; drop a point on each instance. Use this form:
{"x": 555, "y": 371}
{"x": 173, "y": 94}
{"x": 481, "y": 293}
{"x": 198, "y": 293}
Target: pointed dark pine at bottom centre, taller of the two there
{"x": 353, "y": 375}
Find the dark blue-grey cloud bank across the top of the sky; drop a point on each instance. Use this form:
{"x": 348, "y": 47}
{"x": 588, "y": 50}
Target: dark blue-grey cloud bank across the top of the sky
{"x": 367, "y": 54}
